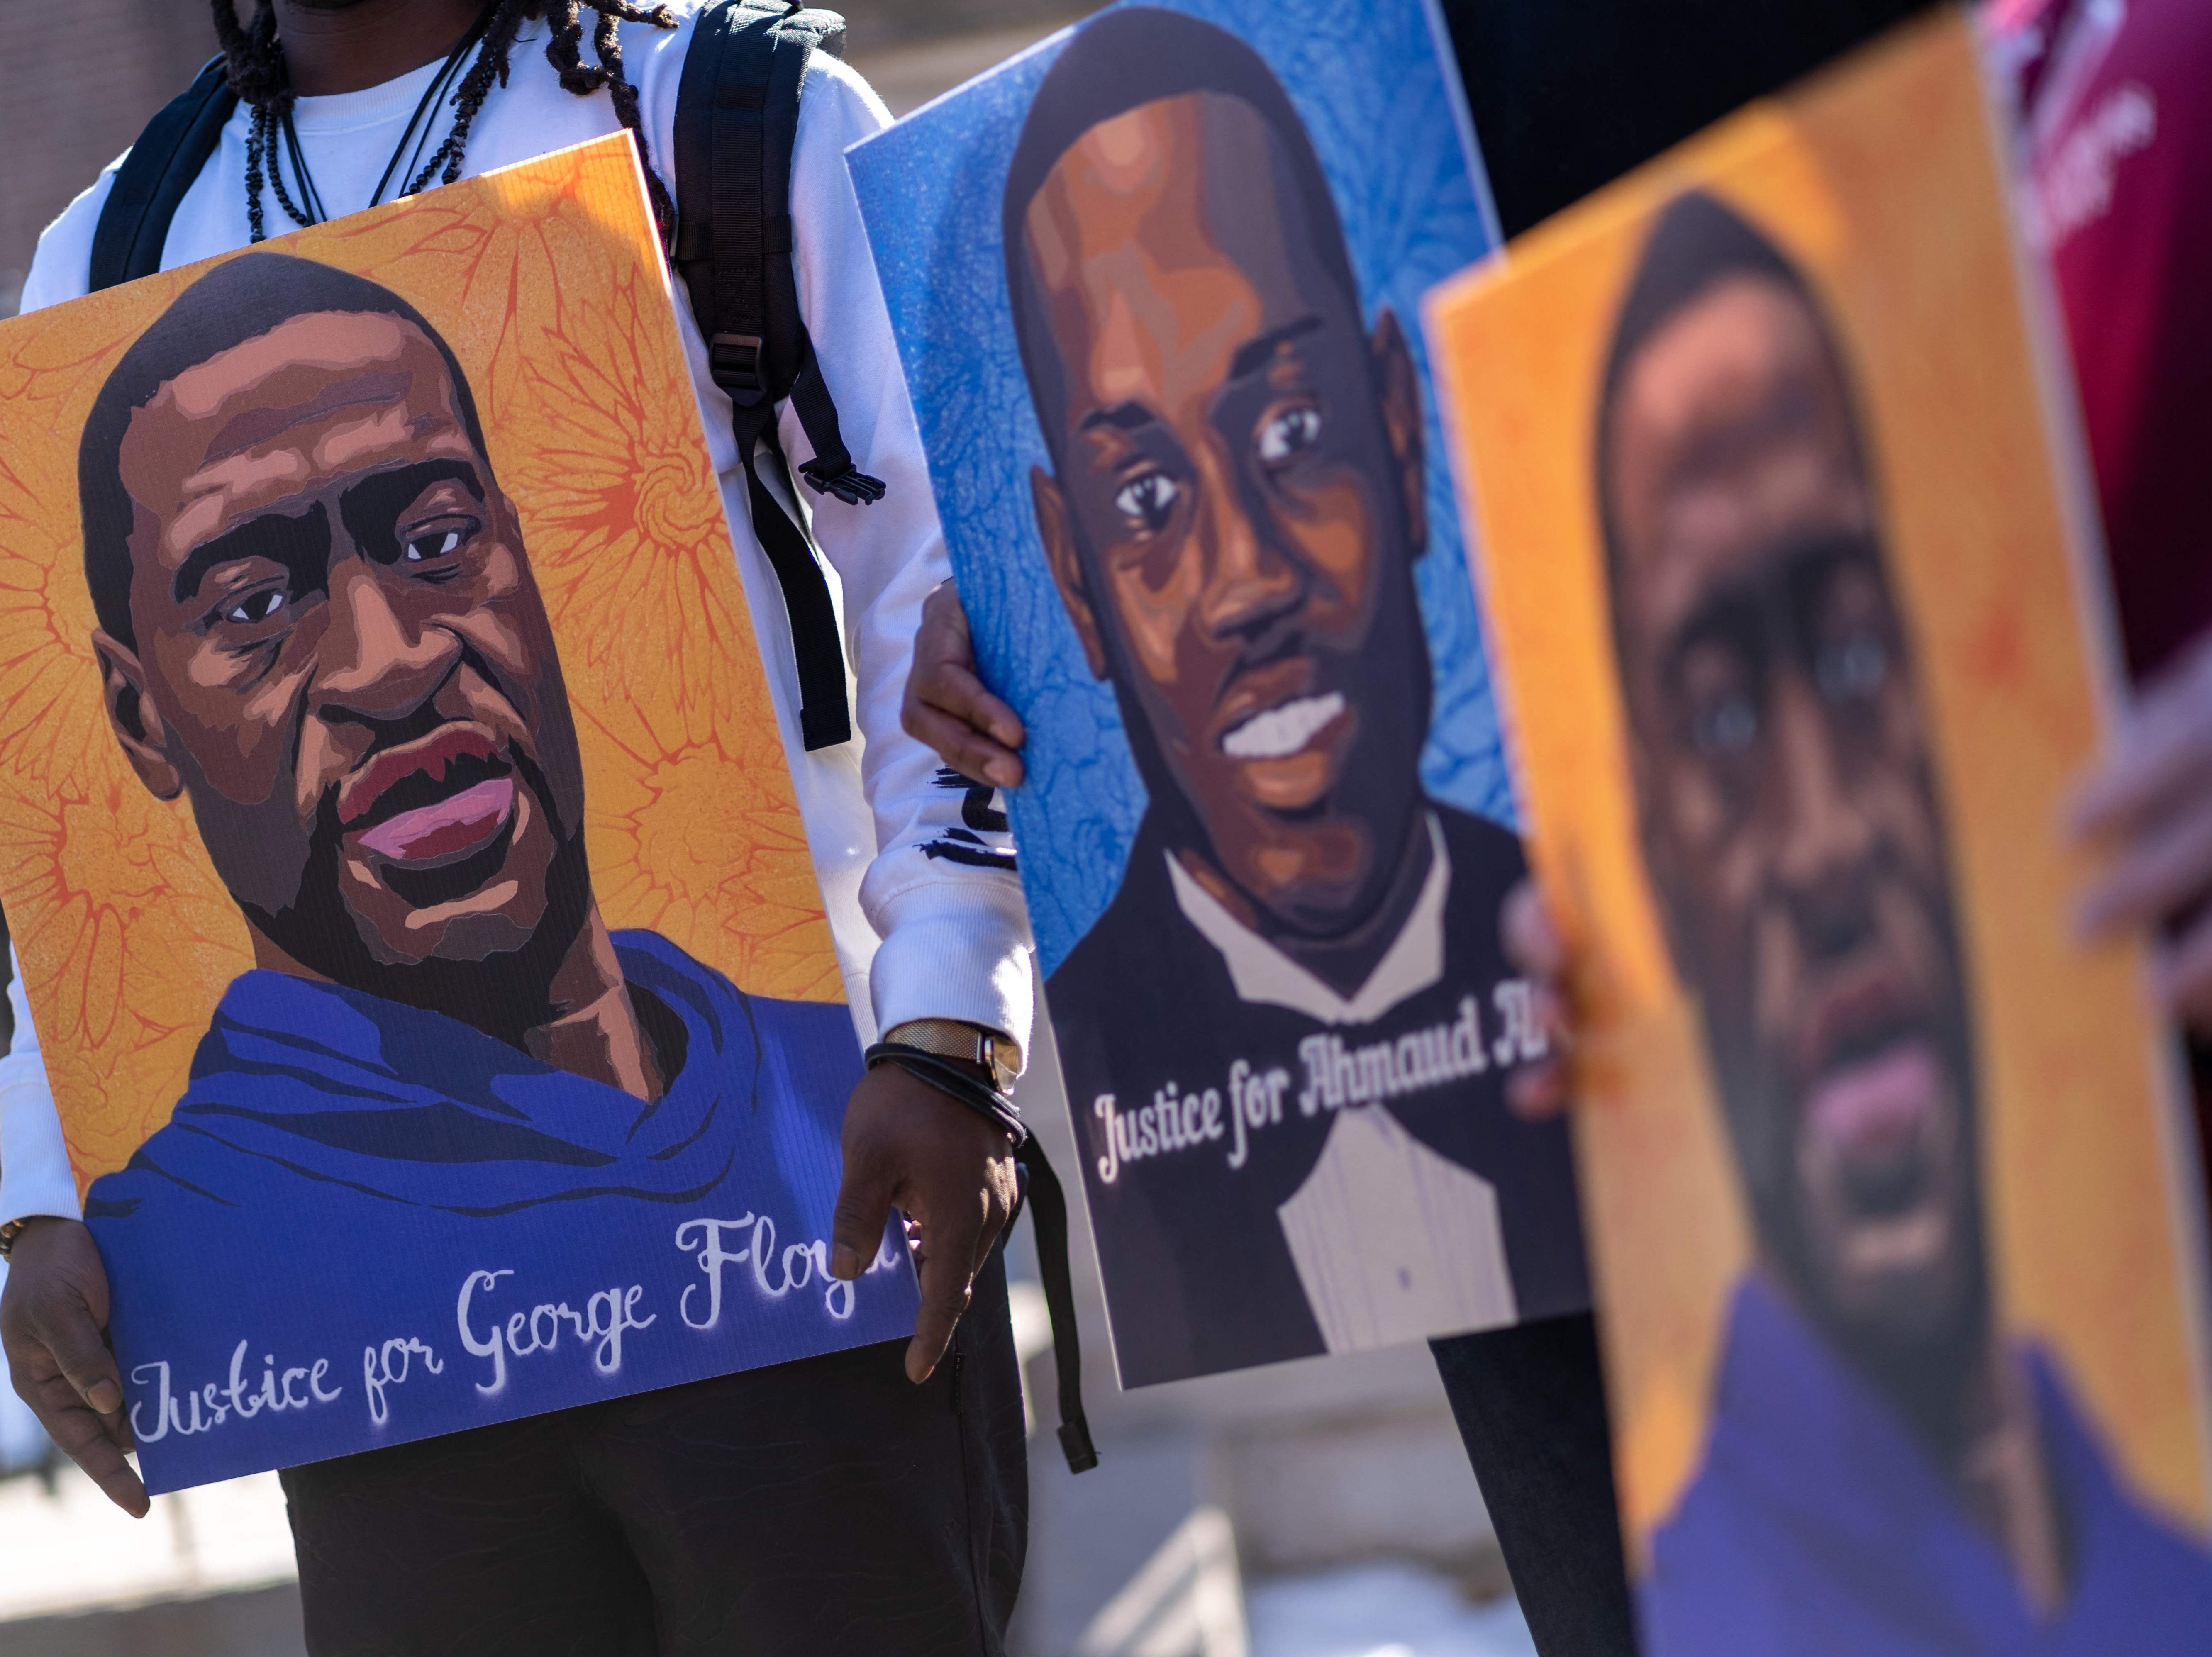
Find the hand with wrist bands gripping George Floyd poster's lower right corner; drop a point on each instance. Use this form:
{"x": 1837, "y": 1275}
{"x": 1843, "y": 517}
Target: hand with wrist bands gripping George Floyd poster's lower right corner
{"x": 950, "y": 1169}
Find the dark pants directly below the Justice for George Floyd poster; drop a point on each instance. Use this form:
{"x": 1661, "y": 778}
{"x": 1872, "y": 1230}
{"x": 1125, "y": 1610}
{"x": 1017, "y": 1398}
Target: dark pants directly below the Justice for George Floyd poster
{"x": 813, "y": 1508}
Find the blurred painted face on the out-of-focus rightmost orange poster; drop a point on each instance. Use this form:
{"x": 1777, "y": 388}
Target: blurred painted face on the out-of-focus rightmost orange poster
{"x": 1788, "y": 811}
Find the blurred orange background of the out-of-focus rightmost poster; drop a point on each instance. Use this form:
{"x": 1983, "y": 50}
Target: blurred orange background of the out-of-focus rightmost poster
{"x": 1881, "y": 180}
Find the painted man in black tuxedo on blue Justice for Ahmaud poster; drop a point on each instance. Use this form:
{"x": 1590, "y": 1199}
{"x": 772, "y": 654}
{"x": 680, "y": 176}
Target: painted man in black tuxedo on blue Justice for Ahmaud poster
{"x": 1286, "y": 1028}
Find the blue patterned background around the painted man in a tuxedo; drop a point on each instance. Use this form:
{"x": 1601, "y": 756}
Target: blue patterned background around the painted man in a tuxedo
{"x": 1386, "y": 118}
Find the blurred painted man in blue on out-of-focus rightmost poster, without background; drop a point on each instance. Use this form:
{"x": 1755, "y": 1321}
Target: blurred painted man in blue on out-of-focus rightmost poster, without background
{"x": 1795, "y": 837}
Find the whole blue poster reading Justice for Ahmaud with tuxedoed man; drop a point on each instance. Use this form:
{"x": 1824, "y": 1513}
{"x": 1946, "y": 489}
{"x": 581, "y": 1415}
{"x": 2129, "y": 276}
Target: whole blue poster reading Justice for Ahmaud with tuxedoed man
{"x": 1156, "y": 291}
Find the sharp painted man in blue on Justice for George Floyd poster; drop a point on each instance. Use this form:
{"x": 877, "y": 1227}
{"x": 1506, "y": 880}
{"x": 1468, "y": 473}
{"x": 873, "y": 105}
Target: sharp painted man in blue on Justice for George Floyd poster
{"x": 457, "y": 1145}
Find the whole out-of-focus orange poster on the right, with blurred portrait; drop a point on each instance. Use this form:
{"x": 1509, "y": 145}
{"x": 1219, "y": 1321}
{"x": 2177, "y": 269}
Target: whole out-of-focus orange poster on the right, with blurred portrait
{"x": 1799, "y": 629}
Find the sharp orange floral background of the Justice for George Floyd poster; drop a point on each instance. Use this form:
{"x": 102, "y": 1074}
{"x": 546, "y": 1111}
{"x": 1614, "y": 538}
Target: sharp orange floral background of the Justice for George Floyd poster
{"x": 547, "y": 284}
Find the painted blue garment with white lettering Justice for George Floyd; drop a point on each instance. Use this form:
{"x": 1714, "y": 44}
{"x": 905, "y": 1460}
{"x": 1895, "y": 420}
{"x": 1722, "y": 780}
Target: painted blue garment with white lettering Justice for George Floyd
{"x": 368, "y": 1224}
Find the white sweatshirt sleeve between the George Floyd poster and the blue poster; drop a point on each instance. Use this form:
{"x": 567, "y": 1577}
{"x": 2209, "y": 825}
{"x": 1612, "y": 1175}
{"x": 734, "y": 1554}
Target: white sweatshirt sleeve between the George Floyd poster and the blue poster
{"x": 941, "y": 890}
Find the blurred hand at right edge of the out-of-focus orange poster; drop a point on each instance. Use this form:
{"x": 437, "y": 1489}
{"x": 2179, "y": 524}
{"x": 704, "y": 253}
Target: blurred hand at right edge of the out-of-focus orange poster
{"x": 2151, "y": 802}
